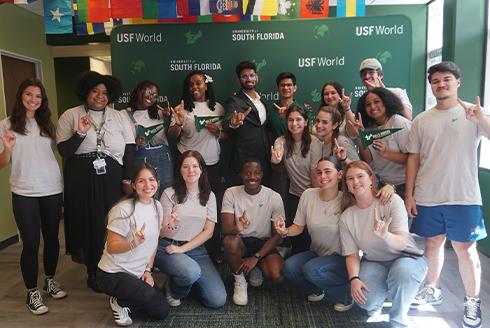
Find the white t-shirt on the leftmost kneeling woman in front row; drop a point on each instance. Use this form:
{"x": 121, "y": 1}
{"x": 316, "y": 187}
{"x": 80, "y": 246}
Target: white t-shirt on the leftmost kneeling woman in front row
{"x": 120, "y": 222}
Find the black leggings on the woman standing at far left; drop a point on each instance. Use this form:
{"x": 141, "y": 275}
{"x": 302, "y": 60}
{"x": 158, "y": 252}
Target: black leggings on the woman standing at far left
{"x": 27, "y": 212}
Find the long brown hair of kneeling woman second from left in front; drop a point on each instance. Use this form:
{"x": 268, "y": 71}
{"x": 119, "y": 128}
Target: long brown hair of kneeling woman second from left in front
{"x": 180, "y": 188}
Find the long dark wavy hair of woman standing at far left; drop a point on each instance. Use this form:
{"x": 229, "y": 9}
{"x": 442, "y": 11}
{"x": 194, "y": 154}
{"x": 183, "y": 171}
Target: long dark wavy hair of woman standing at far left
{"x": 42, "y": 114}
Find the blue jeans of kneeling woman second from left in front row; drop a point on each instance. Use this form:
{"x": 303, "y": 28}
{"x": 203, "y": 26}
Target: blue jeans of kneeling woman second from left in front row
{"x": 191, "y": 272}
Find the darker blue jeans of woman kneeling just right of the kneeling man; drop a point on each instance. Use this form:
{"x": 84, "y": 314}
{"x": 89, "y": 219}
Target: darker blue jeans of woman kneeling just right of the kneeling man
{"x": 310, "y": 271}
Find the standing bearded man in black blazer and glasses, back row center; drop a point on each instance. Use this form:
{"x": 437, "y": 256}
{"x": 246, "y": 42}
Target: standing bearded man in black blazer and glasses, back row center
{"x": 246, "y": 119}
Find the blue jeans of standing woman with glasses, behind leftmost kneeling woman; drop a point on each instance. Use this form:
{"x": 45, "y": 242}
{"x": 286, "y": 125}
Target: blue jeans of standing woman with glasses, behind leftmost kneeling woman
{"x": 161, "y": 159}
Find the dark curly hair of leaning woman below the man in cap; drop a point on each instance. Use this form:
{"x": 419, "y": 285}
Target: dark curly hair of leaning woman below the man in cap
{"x": 393, "y": 104}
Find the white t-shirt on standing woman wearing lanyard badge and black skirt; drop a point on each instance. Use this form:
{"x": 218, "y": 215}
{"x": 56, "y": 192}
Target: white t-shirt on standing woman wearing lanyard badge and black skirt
{"x": 117, "y": 131}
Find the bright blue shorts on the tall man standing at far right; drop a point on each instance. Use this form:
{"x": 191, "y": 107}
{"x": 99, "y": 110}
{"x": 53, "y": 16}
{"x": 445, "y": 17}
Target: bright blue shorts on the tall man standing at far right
{"x": 461, "y": 223}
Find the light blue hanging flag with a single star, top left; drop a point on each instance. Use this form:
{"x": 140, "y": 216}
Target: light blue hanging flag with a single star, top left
{"x": 57, "y": 17}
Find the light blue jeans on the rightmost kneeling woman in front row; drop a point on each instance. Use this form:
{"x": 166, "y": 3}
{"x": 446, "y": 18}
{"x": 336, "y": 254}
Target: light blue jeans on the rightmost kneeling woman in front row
{"x": 401, "y": 277}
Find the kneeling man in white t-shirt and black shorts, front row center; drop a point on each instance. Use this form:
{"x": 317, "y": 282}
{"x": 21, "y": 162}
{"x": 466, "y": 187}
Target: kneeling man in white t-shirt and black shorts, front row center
{"x": 246, "y": 223}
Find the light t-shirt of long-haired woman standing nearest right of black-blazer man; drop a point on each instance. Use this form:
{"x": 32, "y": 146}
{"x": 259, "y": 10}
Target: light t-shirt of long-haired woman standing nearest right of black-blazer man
{"x": 299, "y": 167}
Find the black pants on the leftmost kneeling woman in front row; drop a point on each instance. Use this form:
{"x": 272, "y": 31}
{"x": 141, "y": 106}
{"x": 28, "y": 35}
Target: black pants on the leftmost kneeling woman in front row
{"x": 134, "y": 293}
